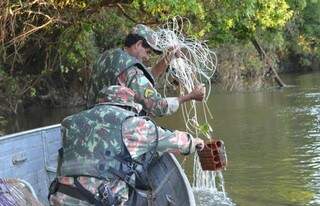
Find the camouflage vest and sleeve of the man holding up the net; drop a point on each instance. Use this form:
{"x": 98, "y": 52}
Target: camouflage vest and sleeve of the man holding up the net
{"x": 118, "y": 67}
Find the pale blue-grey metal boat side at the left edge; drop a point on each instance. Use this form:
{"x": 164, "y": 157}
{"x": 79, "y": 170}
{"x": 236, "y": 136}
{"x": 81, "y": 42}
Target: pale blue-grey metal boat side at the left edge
{"x": 31, "y": 156}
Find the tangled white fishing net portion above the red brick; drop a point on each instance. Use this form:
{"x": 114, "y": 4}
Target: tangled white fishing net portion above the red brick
{"x": 196, "y": 65}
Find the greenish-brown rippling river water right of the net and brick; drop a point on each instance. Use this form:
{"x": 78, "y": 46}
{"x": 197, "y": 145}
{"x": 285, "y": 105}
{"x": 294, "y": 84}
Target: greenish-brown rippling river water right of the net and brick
{"x": 272, "y": 141}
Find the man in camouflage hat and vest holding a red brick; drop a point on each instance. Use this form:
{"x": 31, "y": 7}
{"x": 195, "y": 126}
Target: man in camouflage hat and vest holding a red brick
{"x": 99, "y": 144}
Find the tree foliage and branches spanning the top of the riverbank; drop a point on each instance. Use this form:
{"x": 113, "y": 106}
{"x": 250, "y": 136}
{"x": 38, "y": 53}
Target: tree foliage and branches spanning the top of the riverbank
{"x": 55, "y": 42}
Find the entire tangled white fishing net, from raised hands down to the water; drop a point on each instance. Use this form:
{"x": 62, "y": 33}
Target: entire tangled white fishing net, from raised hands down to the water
{"x": 196, "y": 65}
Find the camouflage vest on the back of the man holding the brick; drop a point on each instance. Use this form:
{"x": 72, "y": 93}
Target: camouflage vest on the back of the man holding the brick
{"x": 91, "y": 139}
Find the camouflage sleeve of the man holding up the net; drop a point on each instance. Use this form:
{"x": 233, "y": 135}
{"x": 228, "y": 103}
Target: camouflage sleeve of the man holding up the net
{"x": 152, "y": 101}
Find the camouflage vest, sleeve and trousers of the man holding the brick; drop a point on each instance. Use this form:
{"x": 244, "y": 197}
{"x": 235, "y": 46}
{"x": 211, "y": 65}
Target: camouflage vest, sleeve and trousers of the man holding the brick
{"x": 91, "y": 138}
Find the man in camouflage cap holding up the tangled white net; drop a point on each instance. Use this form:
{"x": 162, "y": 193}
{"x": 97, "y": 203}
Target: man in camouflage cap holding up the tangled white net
{"x": 124, "y": 67}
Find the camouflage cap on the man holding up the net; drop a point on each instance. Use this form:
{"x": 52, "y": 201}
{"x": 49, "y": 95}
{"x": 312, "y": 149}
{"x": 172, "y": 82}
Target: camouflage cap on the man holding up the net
{"x": 149, "y": 35}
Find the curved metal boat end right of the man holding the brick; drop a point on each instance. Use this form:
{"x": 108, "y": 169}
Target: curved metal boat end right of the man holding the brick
{"x": 169, "y": 183}
